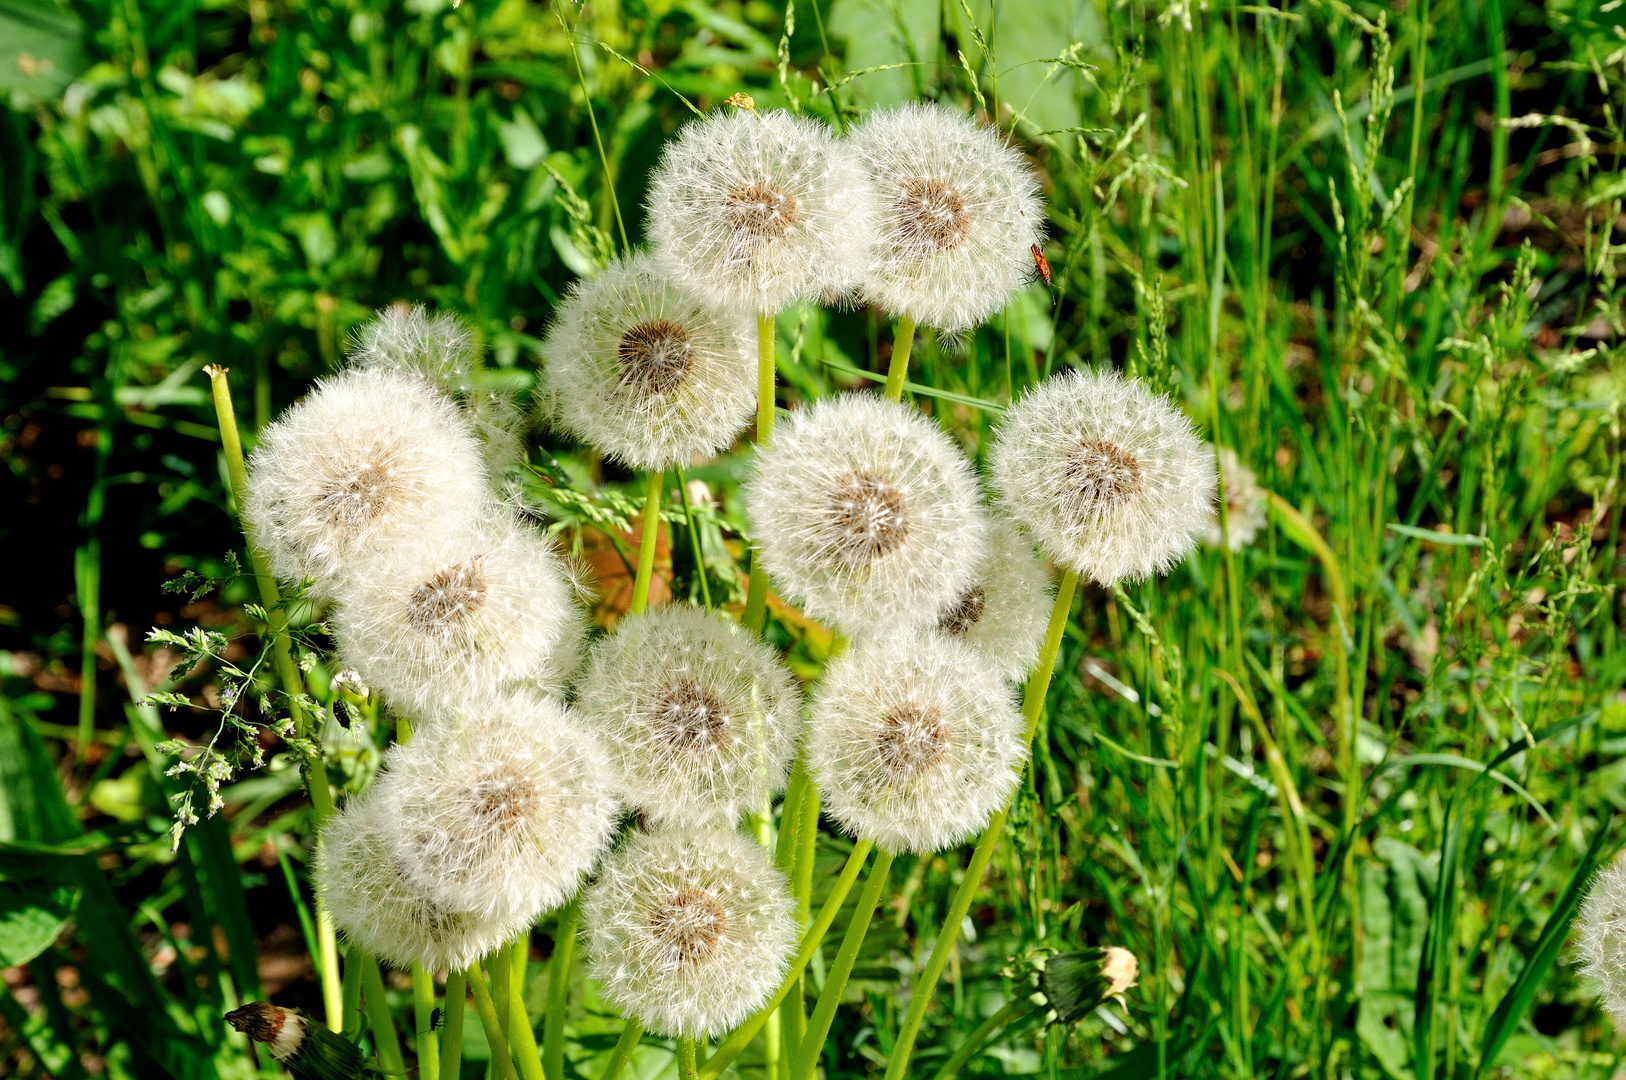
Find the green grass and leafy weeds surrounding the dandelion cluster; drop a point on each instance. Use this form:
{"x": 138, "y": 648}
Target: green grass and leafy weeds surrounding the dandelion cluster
{"x": 1336, "y": 791}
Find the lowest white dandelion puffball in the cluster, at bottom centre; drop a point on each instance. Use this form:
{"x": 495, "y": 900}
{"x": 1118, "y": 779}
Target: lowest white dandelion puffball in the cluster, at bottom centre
{"x": 689, "y": 931}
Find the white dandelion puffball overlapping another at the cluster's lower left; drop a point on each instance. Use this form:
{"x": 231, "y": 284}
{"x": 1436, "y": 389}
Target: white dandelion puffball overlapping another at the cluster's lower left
{"x": 500, "y": 809}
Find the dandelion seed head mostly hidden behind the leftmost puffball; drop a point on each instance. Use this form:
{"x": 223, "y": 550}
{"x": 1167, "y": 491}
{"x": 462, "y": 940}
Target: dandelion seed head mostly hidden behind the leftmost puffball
{"x": 441, "y": 349}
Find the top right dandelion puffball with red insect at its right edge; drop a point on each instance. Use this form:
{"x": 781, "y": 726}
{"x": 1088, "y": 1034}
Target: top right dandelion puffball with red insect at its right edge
{"x": 960, "y": 216}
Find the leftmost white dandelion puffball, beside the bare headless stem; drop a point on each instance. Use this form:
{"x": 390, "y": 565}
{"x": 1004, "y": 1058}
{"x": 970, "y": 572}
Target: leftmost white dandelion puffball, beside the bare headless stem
{"x": 368, "y": 459}
